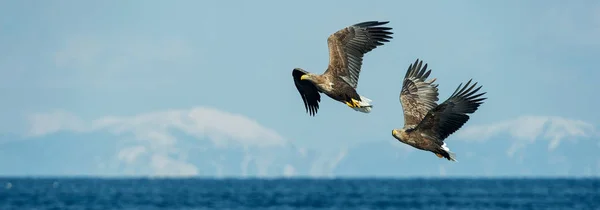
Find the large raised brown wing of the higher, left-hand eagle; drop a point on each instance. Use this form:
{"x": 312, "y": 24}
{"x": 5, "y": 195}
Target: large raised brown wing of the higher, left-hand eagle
{"x": 348, "y": 46}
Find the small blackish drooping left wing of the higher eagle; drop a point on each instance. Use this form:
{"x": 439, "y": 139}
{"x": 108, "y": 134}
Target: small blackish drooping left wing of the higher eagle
{"x": 308, "y": 91}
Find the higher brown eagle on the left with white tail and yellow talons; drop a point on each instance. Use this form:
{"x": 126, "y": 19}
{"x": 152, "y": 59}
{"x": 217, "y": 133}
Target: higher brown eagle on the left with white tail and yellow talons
{"x": 347, "y": 47}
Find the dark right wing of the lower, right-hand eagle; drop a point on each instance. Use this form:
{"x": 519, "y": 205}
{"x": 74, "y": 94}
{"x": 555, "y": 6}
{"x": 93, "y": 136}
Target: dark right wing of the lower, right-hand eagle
{"x": 451, "y": 115}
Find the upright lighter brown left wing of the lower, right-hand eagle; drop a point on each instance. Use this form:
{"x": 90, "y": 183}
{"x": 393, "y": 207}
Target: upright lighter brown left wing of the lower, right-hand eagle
{"x": 417, "y": 96}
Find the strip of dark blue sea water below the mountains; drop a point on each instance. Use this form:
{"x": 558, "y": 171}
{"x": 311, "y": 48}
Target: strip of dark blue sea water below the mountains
{"x": 347, "y": 194}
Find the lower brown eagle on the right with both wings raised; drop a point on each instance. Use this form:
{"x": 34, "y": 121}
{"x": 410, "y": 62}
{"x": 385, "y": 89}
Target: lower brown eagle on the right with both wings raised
{"x": 426, "y": 123}
